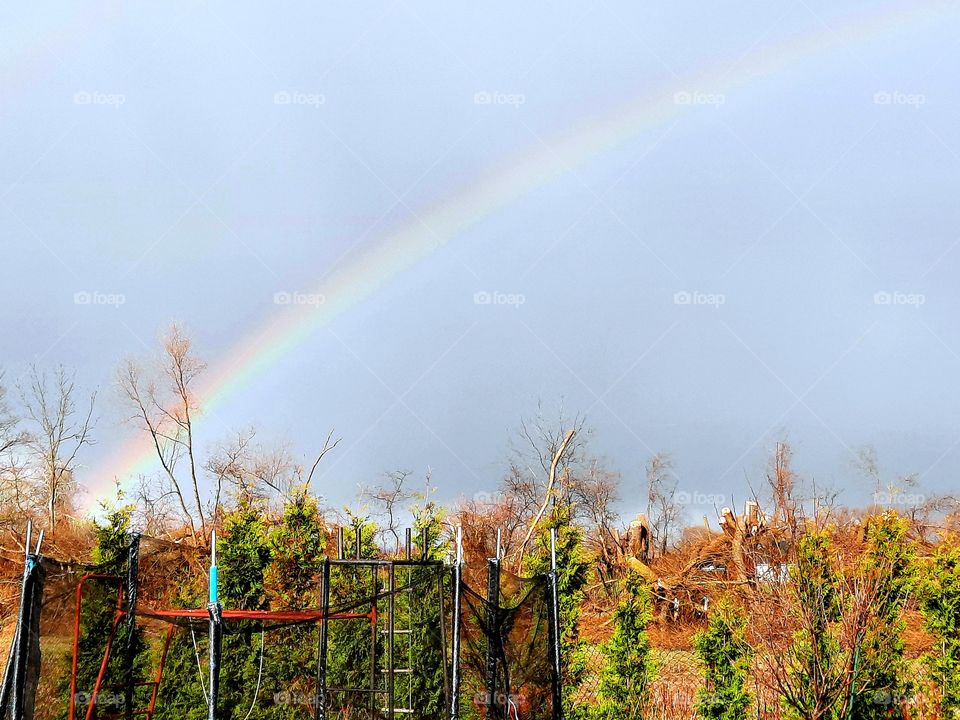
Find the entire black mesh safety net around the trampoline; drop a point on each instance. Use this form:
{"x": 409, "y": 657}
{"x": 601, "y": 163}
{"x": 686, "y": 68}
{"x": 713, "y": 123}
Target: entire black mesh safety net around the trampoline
{"x": 372, "y": 639}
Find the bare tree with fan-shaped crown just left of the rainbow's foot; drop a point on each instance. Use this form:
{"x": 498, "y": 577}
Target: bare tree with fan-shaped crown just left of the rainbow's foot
{"x": 60, "y": 430}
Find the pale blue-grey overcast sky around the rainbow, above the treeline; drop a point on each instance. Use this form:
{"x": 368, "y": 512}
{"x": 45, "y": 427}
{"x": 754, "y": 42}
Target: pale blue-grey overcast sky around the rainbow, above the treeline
{"x": 776, "y": 257}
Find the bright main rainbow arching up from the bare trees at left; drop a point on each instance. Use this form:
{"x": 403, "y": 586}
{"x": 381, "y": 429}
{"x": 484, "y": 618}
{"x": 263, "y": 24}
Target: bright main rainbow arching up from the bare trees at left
{"x": 404, "y": 247}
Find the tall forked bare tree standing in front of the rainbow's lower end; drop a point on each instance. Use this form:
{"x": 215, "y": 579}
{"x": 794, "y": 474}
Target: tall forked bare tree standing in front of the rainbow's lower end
{"x": 165, "y": 407}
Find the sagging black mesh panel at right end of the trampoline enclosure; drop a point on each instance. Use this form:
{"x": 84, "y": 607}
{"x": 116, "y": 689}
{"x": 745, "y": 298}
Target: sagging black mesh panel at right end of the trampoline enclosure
{"x": 506, "y": 647}
